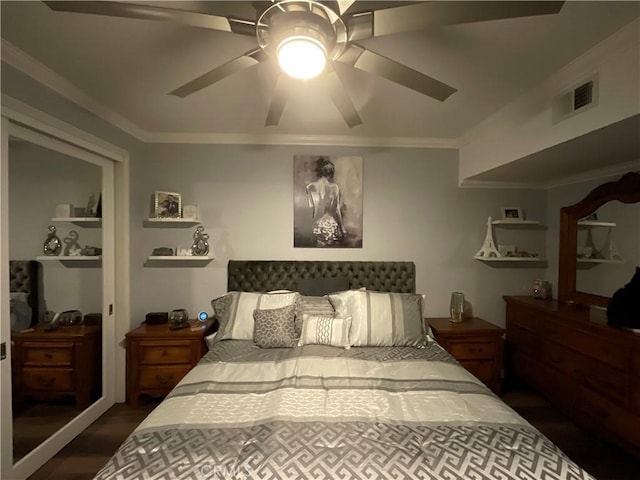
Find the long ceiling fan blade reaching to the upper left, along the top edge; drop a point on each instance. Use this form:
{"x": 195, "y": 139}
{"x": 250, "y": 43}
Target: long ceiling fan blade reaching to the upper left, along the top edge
{"x": 149, "y": 12}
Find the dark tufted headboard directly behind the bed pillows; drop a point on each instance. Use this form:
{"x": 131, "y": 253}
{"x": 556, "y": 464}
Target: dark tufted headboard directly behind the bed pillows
{"x": 266, "y": 275}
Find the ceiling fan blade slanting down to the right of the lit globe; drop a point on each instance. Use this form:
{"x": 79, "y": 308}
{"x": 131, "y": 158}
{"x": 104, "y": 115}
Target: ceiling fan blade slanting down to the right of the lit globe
{"x": 359, "y": 57}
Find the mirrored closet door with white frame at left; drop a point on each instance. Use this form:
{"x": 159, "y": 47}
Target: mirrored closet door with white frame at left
{"x": 59, "y": 233}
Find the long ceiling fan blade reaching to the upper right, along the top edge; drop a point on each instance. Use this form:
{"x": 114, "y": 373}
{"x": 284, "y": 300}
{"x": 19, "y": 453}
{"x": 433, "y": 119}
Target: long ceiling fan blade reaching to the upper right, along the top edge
{"x": 419, "y": 16}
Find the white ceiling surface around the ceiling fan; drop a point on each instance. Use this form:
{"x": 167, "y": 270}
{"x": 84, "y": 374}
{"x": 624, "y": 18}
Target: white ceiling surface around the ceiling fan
{"x": 129, "y": 66}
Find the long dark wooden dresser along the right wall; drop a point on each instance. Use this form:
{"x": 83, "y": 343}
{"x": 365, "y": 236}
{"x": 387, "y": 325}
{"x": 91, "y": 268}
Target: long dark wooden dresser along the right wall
{"x": 588, "y": 370}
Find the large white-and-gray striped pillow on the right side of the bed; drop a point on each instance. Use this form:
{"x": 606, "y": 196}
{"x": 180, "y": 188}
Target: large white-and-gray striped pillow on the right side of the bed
{"x": 381, "y": 318}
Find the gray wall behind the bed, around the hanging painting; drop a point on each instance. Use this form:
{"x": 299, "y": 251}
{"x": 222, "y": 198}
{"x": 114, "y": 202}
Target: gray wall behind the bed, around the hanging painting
{"x": 413, "y": 210}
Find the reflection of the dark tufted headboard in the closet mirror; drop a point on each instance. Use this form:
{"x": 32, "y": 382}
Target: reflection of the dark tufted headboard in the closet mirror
{"x": 26, "y": 276}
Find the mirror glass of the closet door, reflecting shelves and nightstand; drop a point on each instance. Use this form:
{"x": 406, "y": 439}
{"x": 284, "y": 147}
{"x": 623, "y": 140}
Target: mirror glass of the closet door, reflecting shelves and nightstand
{"x": 56, "y": 362}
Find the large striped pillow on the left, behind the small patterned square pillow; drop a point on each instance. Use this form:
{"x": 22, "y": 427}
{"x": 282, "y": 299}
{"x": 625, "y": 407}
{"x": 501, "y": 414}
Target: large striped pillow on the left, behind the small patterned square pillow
{"x": 234, "y": 311}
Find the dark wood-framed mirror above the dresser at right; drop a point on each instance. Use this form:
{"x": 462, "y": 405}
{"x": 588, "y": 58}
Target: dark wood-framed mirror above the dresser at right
{"x": 600, "y": 242}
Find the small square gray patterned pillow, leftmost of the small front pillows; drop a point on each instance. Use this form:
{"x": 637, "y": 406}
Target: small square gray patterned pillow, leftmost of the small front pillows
{"x": 274, "y": 328}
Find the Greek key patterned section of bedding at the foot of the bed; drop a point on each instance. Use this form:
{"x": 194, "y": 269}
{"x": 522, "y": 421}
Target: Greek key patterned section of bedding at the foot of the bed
{"x": 282, "y": 450}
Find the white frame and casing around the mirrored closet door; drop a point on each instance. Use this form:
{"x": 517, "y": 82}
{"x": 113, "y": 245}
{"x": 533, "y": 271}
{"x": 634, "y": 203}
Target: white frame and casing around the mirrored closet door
{"x": 22, "y": 121}
